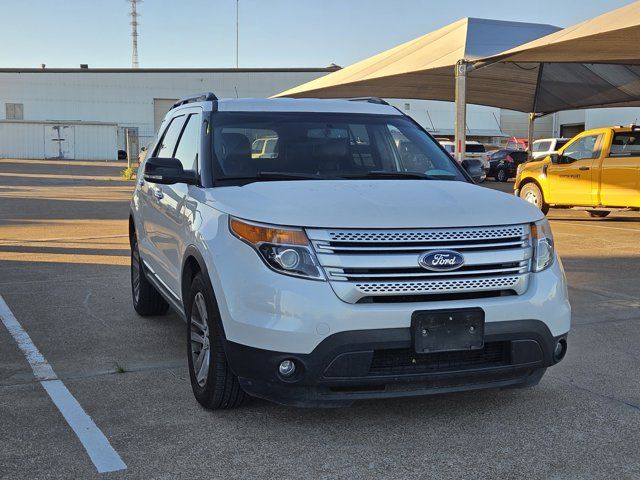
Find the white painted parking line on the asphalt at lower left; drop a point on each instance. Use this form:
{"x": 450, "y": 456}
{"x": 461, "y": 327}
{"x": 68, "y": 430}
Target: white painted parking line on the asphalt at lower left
{"x": 102, "y": 454}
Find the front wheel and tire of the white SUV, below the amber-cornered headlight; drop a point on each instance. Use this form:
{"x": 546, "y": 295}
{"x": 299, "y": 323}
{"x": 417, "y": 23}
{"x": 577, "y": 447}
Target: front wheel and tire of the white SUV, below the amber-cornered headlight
{"x": 214, "y": 385}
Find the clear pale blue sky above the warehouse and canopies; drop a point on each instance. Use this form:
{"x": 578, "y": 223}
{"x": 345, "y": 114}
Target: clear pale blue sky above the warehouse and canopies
{"x": 273, "y": 33}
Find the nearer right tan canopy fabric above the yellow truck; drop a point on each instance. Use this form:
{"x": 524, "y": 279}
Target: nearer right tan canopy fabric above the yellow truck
{"x": 593, "y": 64}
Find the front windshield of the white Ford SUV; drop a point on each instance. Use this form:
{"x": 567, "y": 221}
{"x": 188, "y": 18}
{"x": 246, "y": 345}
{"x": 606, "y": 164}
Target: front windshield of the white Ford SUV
{"x": 271, "y": 145}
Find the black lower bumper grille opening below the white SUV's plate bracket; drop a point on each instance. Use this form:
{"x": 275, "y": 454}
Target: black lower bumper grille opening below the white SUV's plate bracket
{"x": 406, "y": 361}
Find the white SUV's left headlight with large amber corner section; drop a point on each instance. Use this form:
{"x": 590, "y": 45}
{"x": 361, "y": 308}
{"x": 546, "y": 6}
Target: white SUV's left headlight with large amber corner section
{"x": 285, "y": 250}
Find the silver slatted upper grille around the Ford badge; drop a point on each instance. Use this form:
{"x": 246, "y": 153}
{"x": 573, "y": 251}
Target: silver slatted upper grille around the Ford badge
{"x": 365, "y": 263}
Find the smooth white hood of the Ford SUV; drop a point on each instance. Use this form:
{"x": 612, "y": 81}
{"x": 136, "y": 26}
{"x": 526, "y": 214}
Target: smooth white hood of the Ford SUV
{"x": 371, "y": 204}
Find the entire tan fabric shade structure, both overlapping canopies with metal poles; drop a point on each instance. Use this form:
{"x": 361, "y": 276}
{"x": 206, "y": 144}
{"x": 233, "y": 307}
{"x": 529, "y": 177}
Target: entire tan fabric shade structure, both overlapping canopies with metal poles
{"x": 593, "y": 64}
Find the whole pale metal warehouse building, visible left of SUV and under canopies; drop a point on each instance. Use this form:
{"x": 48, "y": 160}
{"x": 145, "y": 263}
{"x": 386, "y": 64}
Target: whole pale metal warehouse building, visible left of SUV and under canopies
{"x": 83, "y": 113}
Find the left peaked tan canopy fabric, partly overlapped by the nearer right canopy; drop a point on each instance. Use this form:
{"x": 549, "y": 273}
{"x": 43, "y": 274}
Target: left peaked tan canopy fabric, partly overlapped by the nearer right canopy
{"x": 424, "y": 68}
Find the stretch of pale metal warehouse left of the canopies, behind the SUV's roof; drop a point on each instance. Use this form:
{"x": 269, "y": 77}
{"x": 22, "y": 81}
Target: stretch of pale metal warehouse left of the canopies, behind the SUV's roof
{"x": 82, "y": 113}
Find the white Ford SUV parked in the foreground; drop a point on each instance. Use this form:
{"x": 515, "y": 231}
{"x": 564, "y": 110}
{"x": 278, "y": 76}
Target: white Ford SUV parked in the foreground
{"x": 355, "y": 260}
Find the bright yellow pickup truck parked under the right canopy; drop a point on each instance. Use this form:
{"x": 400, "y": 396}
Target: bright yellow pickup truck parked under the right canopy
{"x": 597, "y": 171}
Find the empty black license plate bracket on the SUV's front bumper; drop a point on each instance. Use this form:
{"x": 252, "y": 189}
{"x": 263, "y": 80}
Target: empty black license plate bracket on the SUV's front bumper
{"x": 448, "y": 330}
